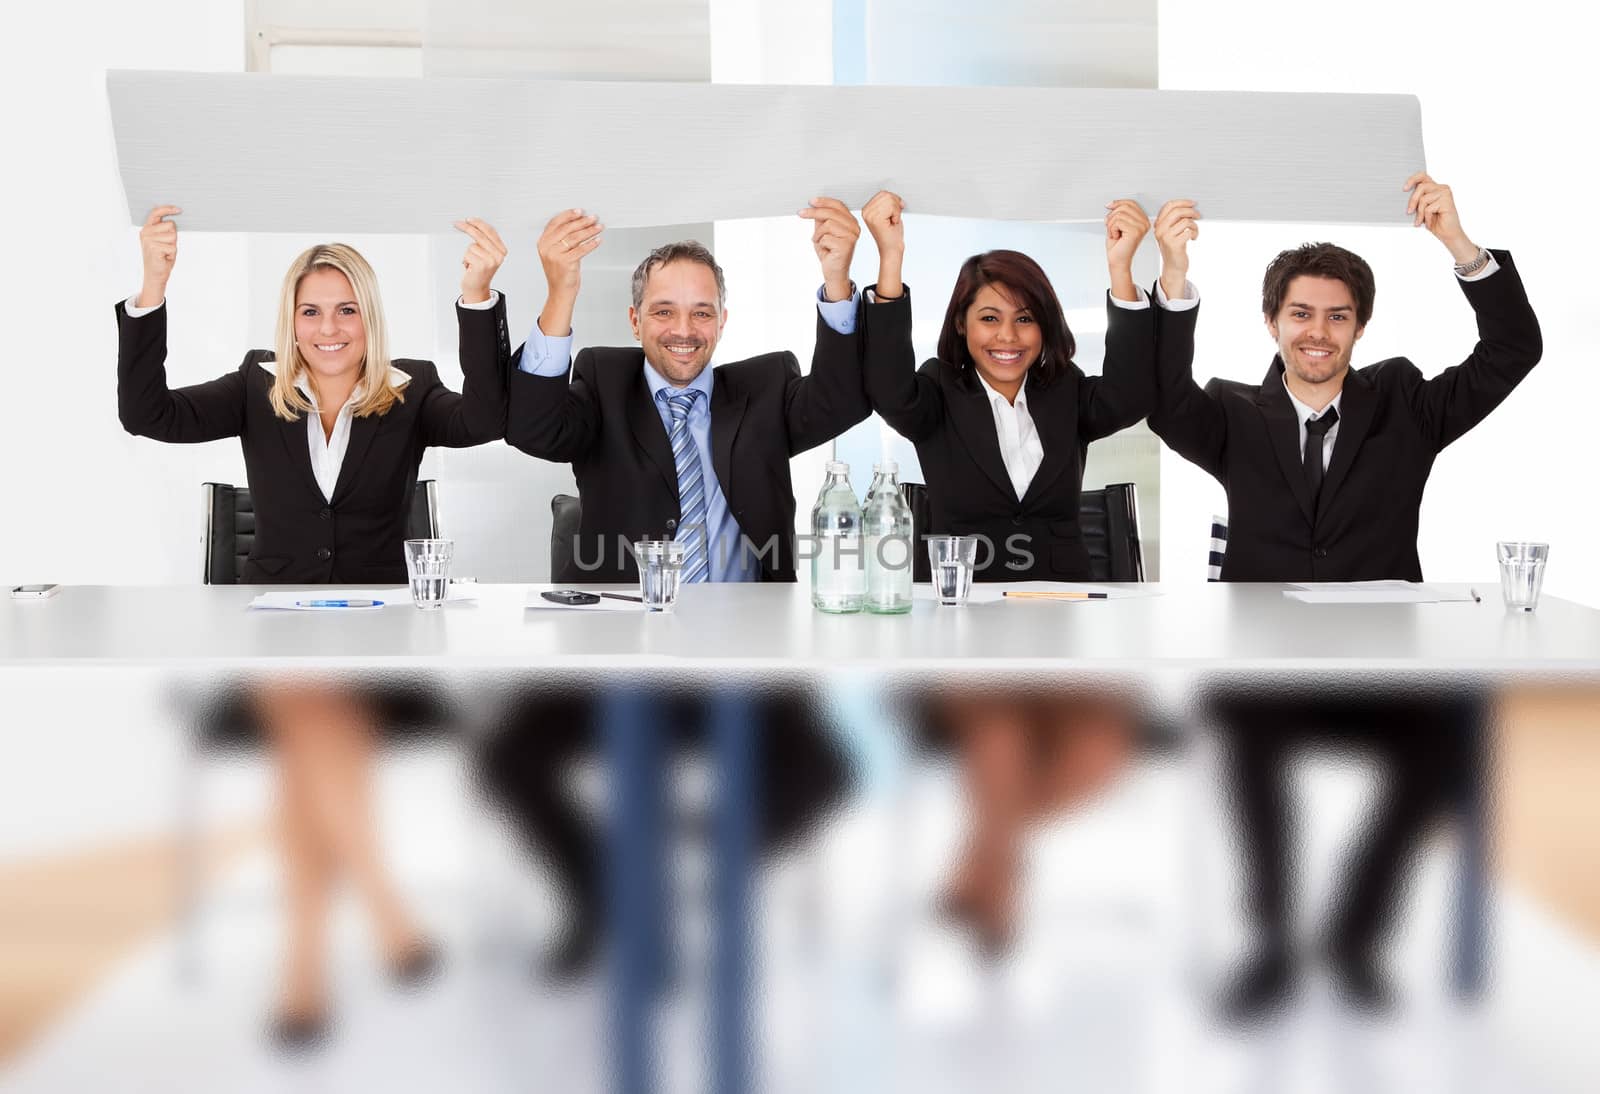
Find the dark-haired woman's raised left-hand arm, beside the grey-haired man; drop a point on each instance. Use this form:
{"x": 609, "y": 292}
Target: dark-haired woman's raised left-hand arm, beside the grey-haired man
{"x": 908, "y": 401}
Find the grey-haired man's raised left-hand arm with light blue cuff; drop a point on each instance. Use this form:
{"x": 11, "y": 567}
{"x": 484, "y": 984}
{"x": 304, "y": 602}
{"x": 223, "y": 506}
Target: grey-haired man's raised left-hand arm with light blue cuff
{"x": 550, "y": 417}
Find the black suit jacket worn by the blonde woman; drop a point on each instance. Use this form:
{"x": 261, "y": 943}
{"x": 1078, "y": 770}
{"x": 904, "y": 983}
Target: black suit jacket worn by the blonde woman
{"x": 302, "y": 537}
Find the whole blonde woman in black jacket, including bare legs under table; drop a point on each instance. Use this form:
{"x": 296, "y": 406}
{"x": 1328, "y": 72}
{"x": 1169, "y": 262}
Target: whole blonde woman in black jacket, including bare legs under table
{"x": 334, "y": 431}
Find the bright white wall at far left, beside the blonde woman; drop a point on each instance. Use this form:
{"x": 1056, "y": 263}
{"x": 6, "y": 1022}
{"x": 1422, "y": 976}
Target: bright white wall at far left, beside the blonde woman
{"x": 81, "y": 501}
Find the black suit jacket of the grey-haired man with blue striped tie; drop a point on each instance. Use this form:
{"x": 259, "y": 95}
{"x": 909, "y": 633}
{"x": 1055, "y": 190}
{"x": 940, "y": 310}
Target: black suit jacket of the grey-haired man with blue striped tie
{"x": 762, "y": 413}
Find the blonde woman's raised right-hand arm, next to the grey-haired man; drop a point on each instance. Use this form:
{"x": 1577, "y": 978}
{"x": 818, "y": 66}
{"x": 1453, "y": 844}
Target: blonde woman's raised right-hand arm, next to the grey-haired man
{"x": 478, "y": 415}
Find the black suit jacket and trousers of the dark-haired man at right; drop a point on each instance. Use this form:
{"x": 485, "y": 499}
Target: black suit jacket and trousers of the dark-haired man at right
{"x": 1362, "y": 527}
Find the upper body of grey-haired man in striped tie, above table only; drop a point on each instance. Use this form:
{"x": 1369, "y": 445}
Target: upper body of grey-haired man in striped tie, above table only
{"x": 666, "y": 447}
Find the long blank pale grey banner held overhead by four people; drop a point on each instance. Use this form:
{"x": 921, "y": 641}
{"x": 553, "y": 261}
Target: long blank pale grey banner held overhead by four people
{"x": 351, "y": 154}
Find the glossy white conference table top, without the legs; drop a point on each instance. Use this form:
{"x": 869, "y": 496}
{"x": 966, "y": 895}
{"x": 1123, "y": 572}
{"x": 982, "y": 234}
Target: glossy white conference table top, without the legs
{"x": 719, "y": 629}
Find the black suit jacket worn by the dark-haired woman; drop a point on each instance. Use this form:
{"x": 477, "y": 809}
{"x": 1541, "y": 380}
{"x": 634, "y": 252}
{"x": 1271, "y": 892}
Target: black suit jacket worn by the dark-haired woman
{"x": 945, "y": 412}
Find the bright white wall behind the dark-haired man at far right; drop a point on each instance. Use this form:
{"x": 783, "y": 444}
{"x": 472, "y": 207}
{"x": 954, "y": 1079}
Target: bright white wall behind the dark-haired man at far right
{"x": 1508, "y": 114}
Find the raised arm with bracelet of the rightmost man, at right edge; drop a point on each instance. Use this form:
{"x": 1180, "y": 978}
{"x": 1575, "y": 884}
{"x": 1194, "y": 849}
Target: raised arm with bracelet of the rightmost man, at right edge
{"x": 1510, "y": 340}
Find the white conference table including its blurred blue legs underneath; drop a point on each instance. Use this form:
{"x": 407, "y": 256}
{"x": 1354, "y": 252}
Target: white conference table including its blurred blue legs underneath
{"x": 1191, "y": 633}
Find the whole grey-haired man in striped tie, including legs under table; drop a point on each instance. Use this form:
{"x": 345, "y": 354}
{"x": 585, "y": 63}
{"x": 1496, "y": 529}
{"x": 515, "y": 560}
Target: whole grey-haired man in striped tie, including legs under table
{"x": 666, "y": 447}
